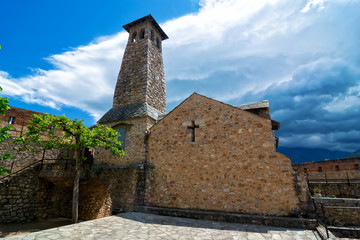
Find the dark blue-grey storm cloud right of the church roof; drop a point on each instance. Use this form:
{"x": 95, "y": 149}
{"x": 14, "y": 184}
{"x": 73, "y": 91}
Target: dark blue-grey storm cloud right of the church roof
{"x": 317, "y": 107}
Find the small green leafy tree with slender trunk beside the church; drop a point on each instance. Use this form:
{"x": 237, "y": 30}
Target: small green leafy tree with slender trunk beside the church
{"x": 51, "y": 132}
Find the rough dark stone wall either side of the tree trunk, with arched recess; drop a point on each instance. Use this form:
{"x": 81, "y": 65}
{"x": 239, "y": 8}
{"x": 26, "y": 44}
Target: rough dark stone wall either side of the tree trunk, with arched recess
{"x": 26, "y": 196}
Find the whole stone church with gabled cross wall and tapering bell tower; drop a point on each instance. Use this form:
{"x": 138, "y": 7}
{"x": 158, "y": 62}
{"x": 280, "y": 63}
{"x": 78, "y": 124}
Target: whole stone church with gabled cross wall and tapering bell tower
{"x": 204, "y": 155}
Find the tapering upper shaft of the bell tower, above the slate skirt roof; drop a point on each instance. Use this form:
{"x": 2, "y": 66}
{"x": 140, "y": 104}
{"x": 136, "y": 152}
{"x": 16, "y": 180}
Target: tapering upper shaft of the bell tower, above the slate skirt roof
{"x": 141, "y": 78}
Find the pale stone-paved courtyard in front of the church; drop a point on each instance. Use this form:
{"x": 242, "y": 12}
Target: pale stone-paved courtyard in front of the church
{"x": 147, "y": 226}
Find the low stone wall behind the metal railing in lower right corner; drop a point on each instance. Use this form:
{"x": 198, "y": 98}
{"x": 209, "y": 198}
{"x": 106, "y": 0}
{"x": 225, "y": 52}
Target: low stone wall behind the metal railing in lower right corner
{"x": 339, "y": 216}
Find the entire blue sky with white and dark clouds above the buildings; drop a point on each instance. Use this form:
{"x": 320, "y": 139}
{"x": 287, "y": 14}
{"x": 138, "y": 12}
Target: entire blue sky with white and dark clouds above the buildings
{"x": 63, "y": 57}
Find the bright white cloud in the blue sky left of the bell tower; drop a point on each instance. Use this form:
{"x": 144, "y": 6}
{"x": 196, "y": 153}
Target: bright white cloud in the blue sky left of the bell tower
{"x": 83, "y": 77}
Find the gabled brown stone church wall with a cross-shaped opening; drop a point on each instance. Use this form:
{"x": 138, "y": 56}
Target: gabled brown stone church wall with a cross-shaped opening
{"x": 231, "y": 166}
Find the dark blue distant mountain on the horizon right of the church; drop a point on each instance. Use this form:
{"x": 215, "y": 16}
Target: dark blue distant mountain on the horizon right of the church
{"x": 300, "y": 155}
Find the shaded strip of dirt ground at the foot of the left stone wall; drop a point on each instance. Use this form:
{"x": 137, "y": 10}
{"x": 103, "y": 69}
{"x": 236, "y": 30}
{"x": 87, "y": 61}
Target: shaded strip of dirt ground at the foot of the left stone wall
{"x": 7, "y": 230}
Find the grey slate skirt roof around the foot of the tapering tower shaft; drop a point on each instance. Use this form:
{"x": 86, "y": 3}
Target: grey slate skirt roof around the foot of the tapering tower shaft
{"x": 130, "y": 111}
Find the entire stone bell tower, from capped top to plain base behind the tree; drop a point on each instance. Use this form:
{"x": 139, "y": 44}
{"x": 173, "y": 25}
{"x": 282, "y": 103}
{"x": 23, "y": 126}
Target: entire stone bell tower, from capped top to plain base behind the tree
{"x": 140, "y": 92}
